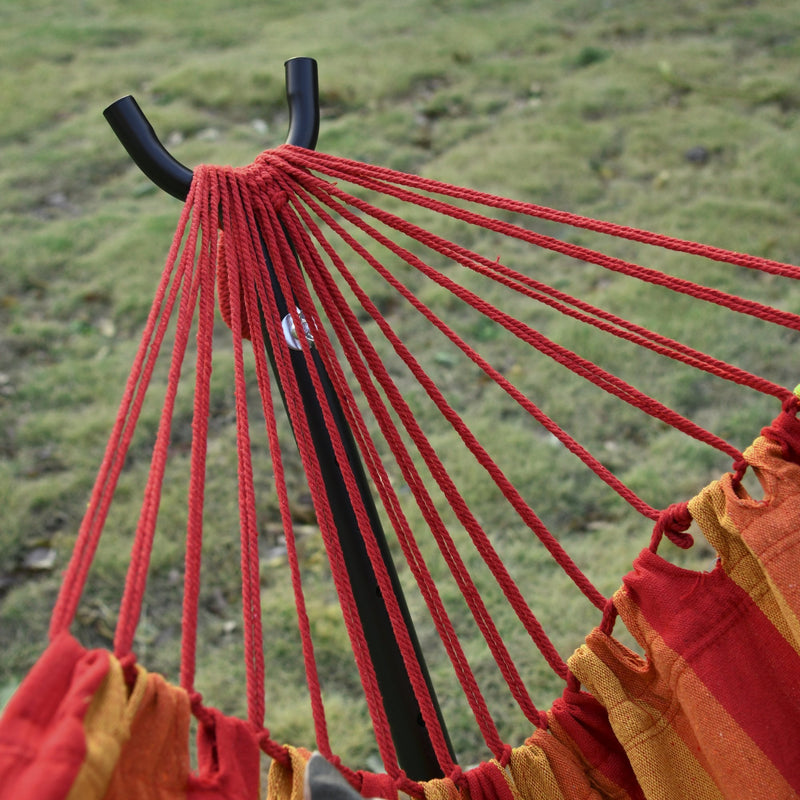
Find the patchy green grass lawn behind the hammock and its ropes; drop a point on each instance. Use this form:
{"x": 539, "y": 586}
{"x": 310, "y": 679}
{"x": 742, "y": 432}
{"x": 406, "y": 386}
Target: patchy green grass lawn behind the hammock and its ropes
{"x": 683, "y": 121}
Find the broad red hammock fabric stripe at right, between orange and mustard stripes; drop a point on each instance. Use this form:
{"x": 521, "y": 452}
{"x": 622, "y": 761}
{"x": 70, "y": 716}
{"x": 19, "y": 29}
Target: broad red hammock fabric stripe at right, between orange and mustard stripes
{"x": 715, "y": 626}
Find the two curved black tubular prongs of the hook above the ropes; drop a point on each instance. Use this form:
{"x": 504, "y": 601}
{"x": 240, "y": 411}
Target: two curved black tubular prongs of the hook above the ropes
{"x": 136, "y": 133}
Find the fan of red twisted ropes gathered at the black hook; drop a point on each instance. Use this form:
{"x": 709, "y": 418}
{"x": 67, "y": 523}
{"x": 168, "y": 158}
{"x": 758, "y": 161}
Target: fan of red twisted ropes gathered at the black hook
{"x": 283, "y": 199}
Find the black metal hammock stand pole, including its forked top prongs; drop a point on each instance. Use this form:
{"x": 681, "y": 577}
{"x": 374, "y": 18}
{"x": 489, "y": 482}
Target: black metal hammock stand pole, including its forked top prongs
{"x": 412, "y": 741}
